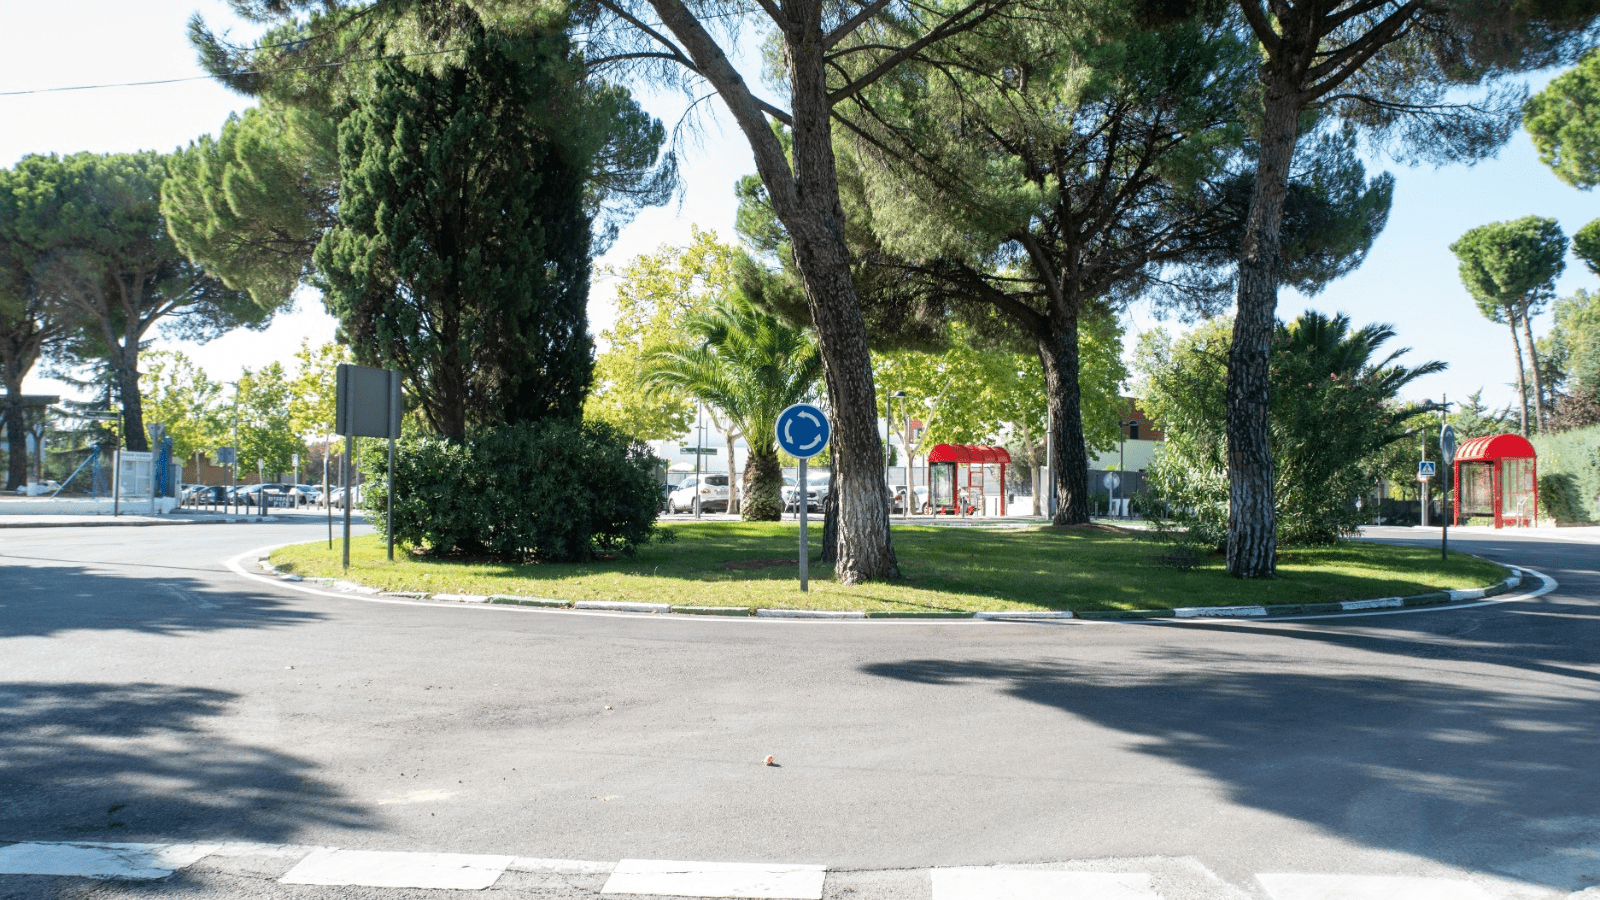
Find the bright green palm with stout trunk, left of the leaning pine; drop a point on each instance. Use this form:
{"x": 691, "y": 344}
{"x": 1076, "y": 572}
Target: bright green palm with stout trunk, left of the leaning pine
{"x": 750, "y": 366}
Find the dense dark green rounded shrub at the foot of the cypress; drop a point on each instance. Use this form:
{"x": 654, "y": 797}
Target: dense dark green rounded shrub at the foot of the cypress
{"x": 548, "y": 492}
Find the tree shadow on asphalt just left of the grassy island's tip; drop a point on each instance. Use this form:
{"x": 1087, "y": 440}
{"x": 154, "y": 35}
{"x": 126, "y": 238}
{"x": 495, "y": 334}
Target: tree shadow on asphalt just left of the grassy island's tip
{"x": 41, "y": 601}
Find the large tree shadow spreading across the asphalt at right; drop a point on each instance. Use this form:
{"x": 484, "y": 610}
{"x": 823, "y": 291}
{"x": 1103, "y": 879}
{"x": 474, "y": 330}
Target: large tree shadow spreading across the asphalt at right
{"x": 1484, "y": 763}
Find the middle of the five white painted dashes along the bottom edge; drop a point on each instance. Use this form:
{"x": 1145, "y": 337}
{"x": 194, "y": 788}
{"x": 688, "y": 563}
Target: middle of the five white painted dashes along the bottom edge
{"x": 778, "y": 882}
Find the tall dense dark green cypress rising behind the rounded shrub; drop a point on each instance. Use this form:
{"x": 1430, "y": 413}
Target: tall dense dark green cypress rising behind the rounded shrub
{"x": 463, "y": 247}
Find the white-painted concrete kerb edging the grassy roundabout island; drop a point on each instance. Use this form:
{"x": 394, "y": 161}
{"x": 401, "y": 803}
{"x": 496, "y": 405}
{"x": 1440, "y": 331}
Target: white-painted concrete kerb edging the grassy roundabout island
{"x": 1458, "y": 600}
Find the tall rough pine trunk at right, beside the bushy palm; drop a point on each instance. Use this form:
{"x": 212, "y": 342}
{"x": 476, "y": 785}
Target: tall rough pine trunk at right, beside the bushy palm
{"x": 1252, "y": 520}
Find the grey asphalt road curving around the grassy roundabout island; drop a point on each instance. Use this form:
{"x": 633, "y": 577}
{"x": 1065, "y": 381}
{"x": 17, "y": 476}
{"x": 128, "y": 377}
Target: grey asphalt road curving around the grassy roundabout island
{"x": 151, "y": 696}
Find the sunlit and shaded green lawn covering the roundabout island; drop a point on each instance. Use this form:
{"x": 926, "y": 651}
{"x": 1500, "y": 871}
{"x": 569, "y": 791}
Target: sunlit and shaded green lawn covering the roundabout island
{"x": 737, "y": 565}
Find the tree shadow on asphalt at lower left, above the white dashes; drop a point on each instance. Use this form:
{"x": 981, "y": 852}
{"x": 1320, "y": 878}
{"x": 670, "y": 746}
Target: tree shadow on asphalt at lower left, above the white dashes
{"x": 138, "y": 763}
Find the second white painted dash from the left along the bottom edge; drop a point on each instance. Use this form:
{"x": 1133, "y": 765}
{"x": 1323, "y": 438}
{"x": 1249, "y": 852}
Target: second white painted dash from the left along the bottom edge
{"x": 378, "y": 869}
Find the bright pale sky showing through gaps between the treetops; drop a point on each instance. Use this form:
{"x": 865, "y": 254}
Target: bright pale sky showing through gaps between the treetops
{"x": 1409, "y": 279}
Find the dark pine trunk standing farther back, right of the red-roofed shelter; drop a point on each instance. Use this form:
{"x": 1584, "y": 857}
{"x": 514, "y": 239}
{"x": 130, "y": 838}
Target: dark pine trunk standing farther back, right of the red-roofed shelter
{"x": 1058, "y": 352}
